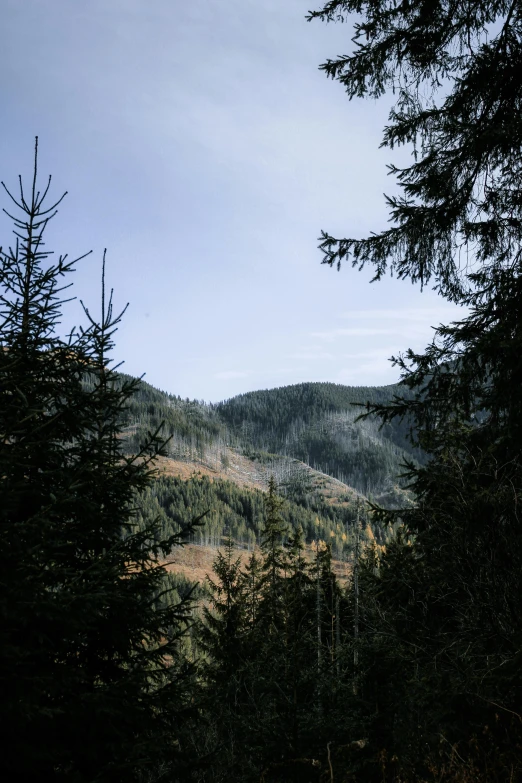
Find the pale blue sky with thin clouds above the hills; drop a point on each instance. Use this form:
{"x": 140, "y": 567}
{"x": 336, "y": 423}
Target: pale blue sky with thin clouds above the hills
{"x": 202, "y": 146}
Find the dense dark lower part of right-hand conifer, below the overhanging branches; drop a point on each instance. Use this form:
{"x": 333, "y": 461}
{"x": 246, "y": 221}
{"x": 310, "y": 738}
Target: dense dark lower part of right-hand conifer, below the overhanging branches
{"x": 449, "y": 592}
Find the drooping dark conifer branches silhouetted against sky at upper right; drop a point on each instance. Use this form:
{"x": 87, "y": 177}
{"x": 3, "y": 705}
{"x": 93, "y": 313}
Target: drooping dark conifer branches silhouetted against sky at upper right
{"x": 454, "y": 70}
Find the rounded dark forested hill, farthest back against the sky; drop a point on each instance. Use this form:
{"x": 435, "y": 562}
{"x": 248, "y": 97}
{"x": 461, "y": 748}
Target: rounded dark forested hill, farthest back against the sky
{"x": 315, "y": 423}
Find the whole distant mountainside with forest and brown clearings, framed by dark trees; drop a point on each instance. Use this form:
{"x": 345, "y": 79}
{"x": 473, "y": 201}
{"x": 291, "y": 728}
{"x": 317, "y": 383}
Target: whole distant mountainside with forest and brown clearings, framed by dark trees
{"x": 220, "y": 458}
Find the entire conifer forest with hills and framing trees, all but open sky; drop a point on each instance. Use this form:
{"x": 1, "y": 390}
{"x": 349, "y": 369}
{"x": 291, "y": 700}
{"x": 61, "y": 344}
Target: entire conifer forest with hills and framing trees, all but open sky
{"x": 361, "y": 617}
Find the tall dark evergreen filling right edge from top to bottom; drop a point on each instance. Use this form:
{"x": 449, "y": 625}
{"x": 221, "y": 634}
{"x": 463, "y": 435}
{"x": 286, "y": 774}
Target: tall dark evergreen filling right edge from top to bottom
{"x": 444, "y": 631}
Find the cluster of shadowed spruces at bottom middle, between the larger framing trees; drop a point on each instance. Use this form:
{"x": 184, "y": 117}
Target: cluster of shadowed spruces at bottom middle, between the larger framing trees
{"x": 275, "y": 669}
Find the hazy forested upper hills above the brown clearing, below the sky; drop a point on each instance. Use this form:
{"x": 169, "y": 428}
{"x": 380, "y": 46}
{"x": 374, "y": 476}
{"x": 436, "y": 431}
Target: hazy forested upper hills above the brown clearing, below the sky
{"x": 314, "y": 423}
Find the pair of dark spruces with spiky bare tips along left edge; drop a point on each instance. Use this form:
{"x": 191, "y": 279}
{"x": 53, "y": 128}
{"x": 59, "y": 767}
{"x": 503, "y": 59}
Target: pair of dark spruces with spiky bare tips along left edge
{"x": 93, "y": 685}
